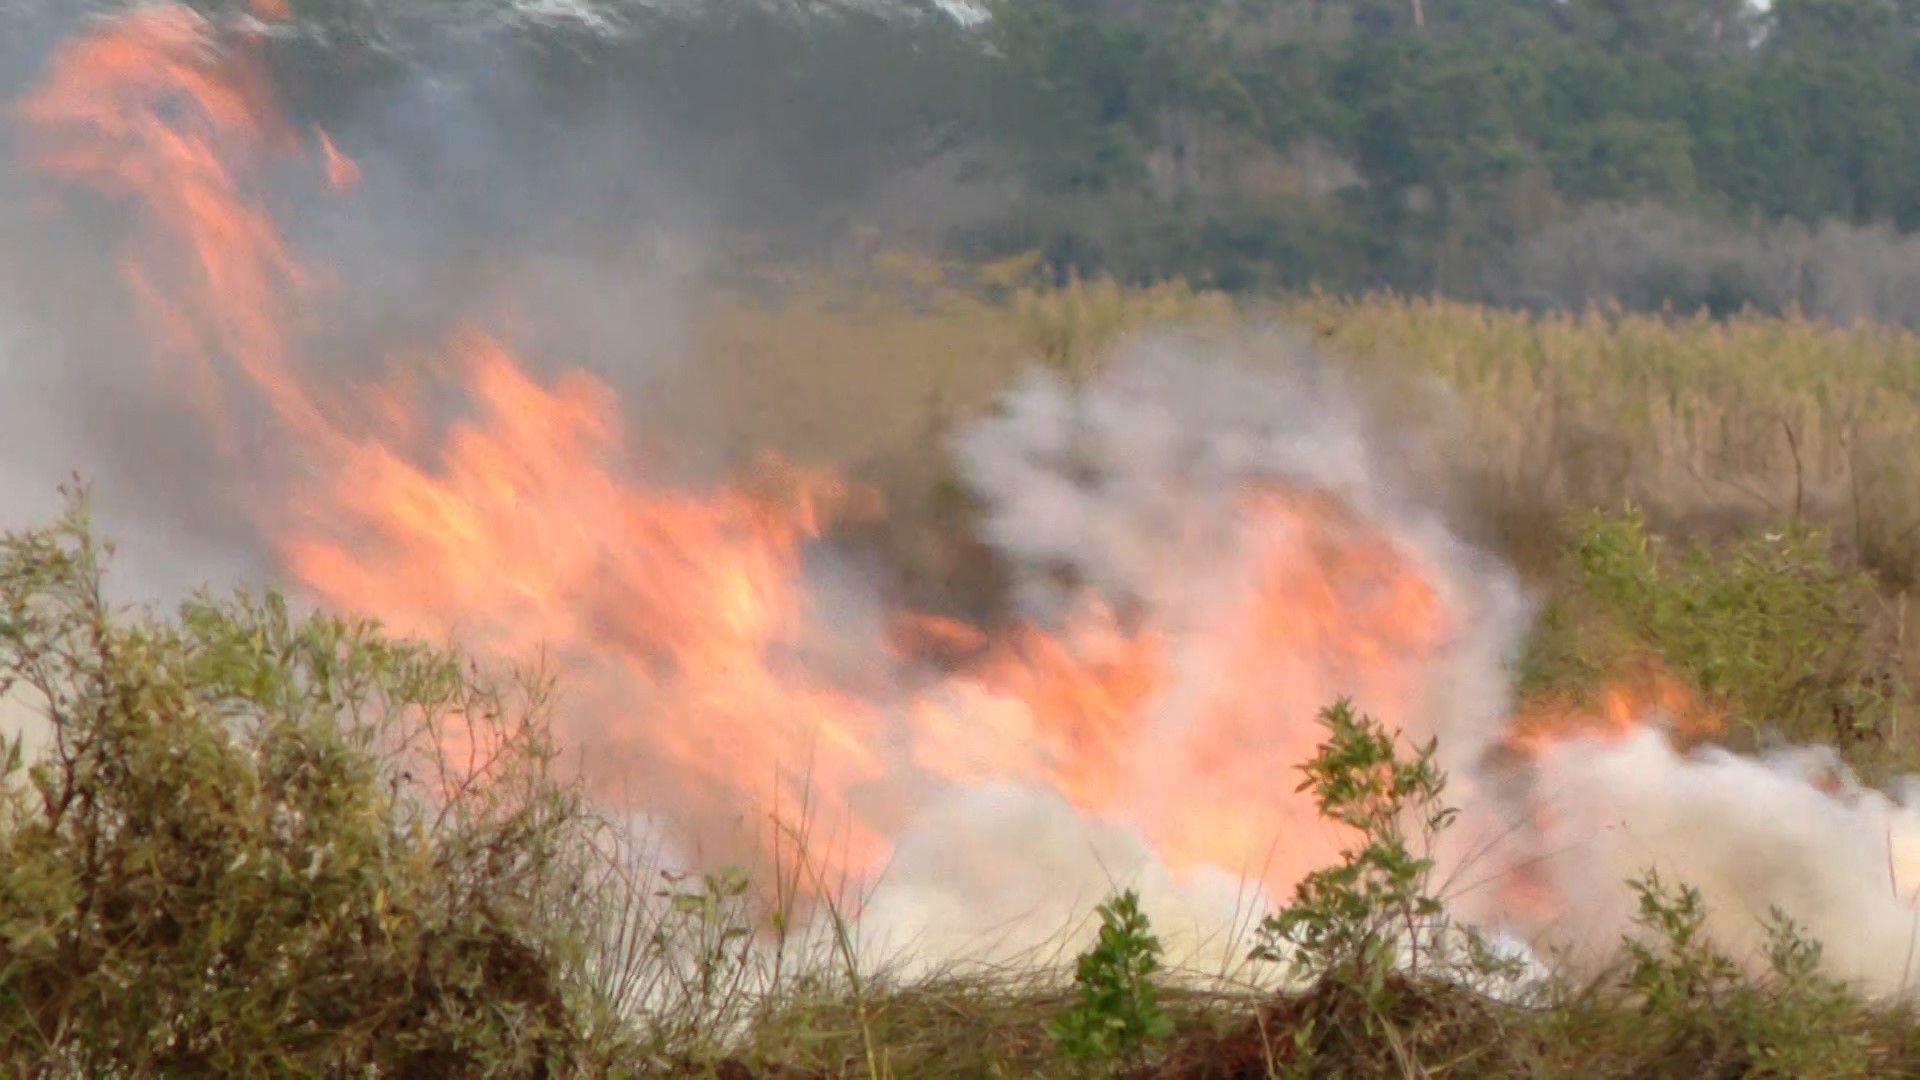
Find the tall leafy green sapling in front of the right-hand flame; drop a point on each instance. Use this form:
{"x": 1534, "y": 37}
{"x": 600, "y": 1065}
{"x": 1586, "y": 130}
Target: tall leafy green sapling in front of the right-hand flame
{"x": 1353, "y": 921}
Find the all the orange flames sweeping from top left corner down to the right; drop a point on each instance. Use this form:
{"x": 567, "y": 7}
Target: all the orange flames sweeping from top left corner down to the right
{"x": 683, "y": 618}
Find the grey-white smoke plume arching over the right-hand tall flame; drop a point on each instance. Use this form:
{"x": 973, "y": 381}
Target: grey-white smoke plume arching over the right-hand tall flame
{"x": 1138, "y": 483}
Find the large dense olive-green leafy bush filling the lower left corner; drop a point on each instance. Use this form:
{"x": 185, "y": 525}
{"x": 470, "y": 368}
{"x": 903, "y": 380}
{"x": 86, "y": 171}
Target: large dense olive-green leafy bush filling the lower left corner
{"x": 262, "y": 845}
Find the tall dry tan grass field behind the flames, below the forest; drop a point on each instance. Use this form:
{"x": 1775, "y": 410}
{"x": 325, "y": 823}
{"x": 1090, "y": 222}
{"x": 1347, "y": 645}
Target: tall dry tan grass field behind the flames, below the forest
{"x": 1708, "y": 426}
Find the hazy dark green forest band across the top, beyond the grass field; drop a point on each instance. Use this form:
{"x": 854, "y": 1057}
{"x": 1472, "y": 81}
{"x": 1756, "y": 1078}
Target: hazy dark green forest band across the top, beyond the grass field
{"x": 1537, "y": 153}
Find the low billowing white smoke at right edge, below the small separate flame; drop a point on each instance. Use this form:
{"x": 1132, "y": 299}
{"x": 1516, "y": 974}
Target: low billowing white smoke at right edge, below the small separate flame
{"x": 1750, "y": 835}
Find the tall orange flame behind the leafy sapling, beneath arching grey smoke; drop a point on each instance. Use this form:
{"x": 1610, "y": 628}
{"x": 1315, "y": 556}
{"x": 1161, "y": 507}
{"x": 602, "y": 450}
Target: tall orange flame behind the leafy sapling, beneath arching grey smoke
{"x": 1337, "y": 610}
